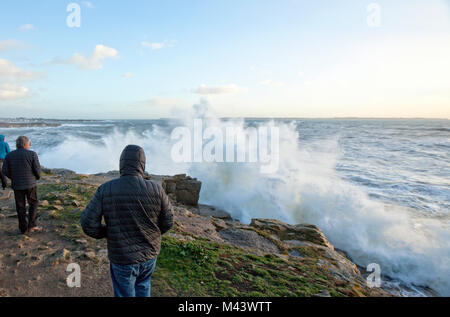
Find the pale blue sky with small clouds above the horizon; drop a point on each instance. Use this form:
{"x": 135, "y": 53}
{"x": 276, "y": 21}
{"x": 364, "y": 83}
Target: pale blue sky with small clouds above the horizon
{"x": 245, "y": 58}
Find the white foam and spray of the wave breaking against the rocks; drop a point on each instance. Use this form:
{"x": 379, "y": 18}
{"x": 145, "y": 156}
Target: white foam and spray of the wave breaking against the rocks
{"x": 409, "y": 246}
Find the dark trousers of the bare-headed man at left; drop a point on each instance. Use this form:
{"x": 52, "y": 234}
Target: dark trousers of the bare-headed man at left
{"x": 21, "y": 197}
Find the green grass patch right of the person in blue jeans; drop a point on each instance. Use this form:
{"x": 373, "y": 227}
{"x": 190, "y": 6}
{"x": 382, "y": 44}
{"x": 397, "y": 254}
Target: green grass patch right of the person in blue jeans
{"x": 203, "y": 268}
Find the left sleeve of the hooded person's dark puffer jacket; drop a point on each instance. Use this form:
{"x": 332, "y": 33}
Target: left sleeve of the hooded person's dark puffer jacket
{"x": 91, "y": 218}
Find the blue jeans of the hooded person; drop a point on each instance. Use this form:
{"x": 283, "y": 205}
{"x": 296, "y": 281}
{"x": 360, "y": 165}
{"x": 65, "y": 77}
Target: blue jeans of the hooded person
{"x": 132, "y": 280}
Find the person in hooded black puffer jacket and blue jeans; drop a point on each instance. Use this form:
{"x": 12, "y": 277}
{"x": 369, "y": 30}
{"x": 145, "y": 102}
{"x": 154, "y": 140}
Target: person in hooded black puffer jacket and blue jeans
{"x": 136, "y": 213}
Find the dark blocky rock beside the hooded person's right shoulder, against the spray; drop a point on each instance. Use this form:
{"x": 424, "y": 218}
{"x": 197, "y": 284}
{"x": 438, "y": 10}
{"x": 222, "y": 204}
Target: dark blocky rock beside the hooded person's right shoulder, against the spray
{"x": 184, "y": 189}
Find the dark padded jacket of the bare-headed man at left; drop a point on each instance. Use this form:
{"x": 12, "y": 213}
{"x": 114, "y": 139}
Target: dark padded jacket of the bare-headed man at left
{"x": 22, "y": 167}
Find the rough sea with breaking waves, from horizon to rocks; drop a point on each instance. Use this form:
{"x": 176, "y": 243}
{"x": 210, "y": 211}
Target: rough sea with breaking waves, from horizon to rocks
{"x": 378, "y": 188}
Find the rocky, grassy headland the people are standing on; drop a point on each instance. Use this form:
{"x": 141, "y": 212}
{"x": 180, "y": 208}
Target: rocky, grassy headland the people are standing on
{"x": 265, "y": 258}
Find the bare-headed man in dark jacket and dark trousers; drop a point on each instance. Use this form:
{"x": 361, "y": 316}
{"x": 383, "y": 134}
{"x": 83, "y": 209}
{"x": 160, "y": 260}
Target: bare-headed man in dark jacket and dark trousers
{"x": 23, "y": 168}
